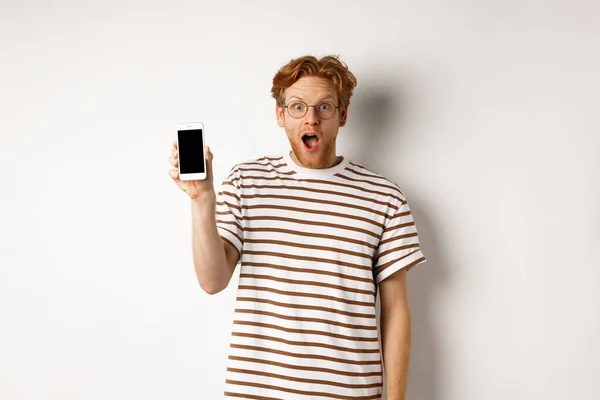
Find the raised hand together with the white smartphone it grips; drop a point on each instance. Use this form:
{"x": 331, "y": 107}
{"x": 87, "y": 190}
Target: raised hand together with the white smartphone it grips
{"x": 192, "y": 160}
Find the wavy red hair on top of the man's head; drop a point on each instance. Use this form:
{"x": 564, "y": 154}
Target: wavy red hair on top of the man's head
{"x": 330, "y": 68}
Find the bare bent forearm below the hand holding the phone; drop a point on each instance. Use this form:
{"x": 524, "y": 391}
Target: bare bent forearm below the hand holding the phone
{"x": 214, "y": 258}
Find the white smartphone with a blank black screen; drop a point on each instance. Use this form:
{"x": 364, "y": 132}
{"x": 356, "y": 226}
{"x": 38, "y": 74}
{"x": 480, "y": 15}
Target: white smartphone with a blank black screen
{"x": 190, "y": 143}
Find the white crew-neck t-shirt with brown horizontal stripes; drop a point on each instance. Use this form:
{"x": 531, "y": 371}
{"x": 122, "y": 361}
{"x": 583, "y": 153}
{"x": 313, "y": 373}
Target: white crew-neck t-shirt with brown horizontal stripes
{"x": 314, "y": 244}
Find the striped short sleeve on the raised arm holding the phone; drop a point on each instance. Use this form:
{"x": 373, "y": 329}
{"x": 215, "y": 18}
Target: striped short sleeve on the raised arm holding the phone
{"x": 229, "y": 210}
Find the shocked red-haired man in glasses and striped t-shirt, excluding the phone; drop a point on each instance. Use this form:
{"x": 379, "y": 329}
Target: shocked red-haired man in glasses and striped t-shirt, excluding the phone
{"x": 317, "y": 236}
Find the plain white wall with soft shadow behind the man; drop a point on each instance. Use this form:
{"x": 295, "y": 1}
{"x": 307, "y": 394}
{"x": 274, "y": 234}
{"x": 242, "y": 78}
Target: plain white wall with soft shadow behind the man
{"x": 485, "y": 113}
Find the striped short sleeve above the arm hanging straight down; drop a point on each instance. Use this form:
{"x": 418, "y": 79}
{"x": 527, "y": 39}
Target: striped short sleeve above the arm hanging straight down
{"x": 399, "y": 244}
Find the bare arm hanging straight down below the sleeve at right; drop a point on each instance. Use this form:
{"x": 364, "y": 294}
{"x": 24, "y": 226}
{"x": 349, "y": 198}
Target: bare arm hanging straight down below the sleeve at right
{"x": 395, "y": 324}
